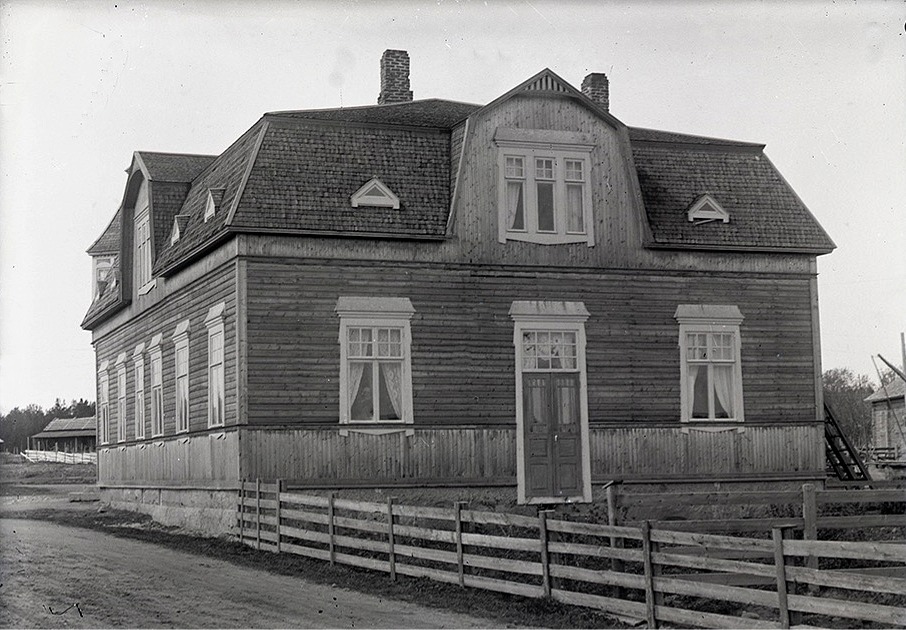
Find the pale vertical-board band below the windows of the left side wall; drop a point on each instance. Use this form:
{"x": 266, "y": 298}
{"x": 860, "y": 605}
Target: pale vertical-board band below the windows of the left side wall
{"x": 174, "y": 461}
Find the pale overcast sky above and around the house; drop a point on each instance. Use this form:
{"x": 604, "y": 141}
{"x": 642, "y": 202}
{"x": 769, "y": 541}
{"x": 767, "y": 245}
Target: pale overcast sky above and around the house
{"x": 84, "y": 84}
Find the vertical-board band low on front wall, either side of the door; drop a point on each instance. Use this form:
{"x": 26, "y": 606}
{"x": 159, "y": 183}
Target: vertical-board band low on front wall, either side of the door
{"x": 322, "y": 455}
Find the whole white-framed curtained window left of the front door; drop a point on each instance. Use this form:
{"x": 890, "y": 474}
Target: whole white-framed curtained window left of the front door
{"x": 375, "y": 360}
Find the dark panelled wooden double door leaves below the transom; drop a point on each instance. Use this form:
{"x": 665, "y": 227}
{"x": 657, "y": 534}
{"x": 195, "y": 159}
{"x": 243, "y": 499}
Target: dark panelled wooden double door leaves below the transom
{"x": 552, "y": 434}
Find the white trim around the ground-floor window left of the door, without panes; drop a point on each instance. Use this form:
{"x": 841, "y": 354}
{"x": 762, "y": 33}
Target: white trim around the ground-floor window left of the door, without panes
{"x": 357, "y": 312}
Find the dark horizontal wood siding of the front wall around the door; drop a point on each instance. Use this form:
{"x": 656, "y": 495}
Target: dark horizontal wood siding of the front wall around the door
{"x": 462, "y": 347}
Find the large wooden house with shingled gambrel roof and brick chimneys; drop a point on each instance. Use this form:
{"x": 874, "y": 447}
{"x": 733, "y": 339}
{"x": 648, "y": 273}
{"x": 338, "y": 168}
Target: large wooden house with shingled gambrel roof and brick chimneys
{"x": 527, "y": 295}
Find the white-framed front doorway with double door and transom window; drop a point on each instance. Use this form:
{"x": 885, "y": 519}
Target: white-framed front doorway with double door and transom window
{"x": 552, "y": 435}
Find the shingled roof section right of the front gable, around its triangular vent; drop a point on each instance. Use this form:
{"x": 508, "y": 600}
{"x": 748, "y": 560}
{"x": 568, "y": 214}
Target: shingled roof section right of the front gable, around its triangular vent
{"x": 674, "y": 170}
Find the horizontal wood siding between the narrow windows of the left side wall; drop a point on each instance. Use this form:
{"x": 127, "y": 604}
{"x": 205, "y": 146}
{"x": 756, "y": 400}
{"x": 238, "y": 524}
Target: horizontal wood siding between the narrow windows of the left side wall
{"x": 191, "y": 302}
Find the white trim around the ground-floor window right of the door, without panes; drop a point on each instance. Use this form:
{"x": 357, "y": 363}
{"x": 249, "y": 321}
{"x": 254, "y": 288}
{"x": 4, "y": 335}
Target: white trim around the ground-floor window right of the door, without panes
{"x": 708, "y": 318}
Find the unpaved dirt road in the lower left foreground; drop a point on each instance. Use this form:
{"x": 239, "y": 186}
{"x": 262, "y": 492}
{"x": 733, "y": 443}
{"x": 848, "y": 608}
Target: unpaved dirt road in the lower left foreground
{"x": 45, "y": 568}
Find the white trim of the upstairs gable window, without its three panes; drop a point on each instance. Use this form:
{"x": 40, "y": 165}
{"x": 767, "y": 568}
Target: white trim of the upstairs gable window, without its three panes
{"x": 544, "y": 143}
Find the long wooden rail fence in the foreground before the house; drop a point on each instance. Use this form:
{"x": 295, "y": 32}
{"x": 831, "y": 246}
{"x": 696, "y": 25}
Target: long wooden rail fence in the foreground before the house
{"x": 645, "y": 572}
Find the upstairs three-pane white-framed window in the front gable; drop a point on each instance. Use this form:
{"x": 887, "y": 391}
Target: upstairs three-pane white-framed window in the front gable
{"x": 544, "y": 187}
